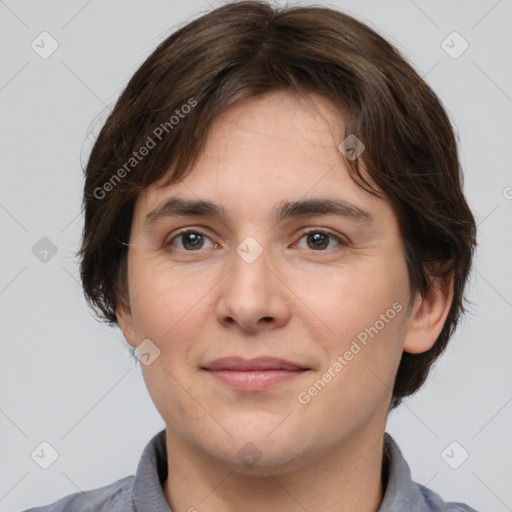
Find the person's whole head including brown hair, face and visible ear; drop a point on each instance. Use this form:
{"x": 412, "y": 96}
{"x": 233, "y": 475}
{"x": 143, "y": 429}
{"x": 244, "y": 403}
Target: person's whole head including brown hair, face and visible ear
{"x": 253, "y": 108}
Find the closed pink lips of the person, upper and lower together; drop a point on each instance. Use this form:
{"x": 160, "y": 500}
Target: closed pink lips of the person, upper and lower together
{"x": 253, "y": 374}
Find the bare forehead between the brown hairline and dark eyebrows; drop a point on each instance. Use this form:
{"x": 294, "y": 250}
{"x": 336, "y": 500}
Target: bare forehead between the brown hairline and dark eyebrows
{"x": 266, "y": 149}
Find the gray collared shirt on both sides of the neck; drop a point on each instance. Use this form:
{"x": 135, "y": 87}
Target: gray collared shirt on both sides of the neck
{"x": 143, "y": 492}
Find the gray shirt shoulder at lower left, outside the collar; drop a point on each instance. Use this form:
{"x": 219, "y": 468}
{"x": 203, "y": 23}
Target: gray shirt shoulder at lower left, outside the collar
{"x": 113, "y": 497}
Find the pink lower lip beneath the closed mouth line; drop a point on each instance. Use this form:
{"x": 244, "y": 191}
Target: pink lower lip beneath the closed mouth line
{"x": 254, "y": 380}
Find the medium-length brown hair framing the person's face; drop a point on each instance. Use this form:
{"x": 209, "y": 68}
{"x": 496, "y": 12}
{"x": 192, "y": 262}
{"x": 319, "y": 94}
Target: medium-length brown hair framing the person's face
{"x": 244, "y": 49}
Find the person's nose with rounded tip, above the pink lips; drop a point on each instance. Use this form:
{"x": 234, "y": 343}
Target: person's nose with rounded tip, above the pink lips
{"x": 252, "y": 296}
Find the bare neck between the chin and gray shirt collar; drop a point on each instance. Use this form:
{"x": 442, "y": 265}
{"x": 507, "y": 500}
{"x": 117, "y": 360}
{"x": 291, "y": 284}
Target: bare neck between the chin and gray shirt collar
{"x": 348, "y": 479}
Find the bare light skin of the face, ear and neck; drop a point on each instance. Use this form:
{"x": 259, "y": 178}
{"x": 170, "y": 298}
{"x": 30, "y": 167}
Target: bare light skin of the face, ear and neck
{"x": 295, "y": 301}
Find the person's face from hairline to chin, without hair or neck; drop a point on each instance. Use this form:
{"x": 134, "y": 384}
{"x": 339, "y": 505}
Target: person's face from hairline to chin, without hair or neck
{"x": 324, "y": 289}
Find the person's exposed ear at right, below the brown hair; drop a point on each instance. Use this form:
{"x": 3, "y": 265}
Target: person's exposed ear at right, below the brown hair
{"x": 428, "y": 315}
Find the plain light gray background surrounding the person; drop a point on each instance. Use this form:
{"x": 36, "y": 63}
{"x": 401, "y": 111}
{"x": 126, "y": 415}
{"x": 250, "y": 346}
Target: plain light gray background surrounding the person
{"x": 68, "y": 380}
